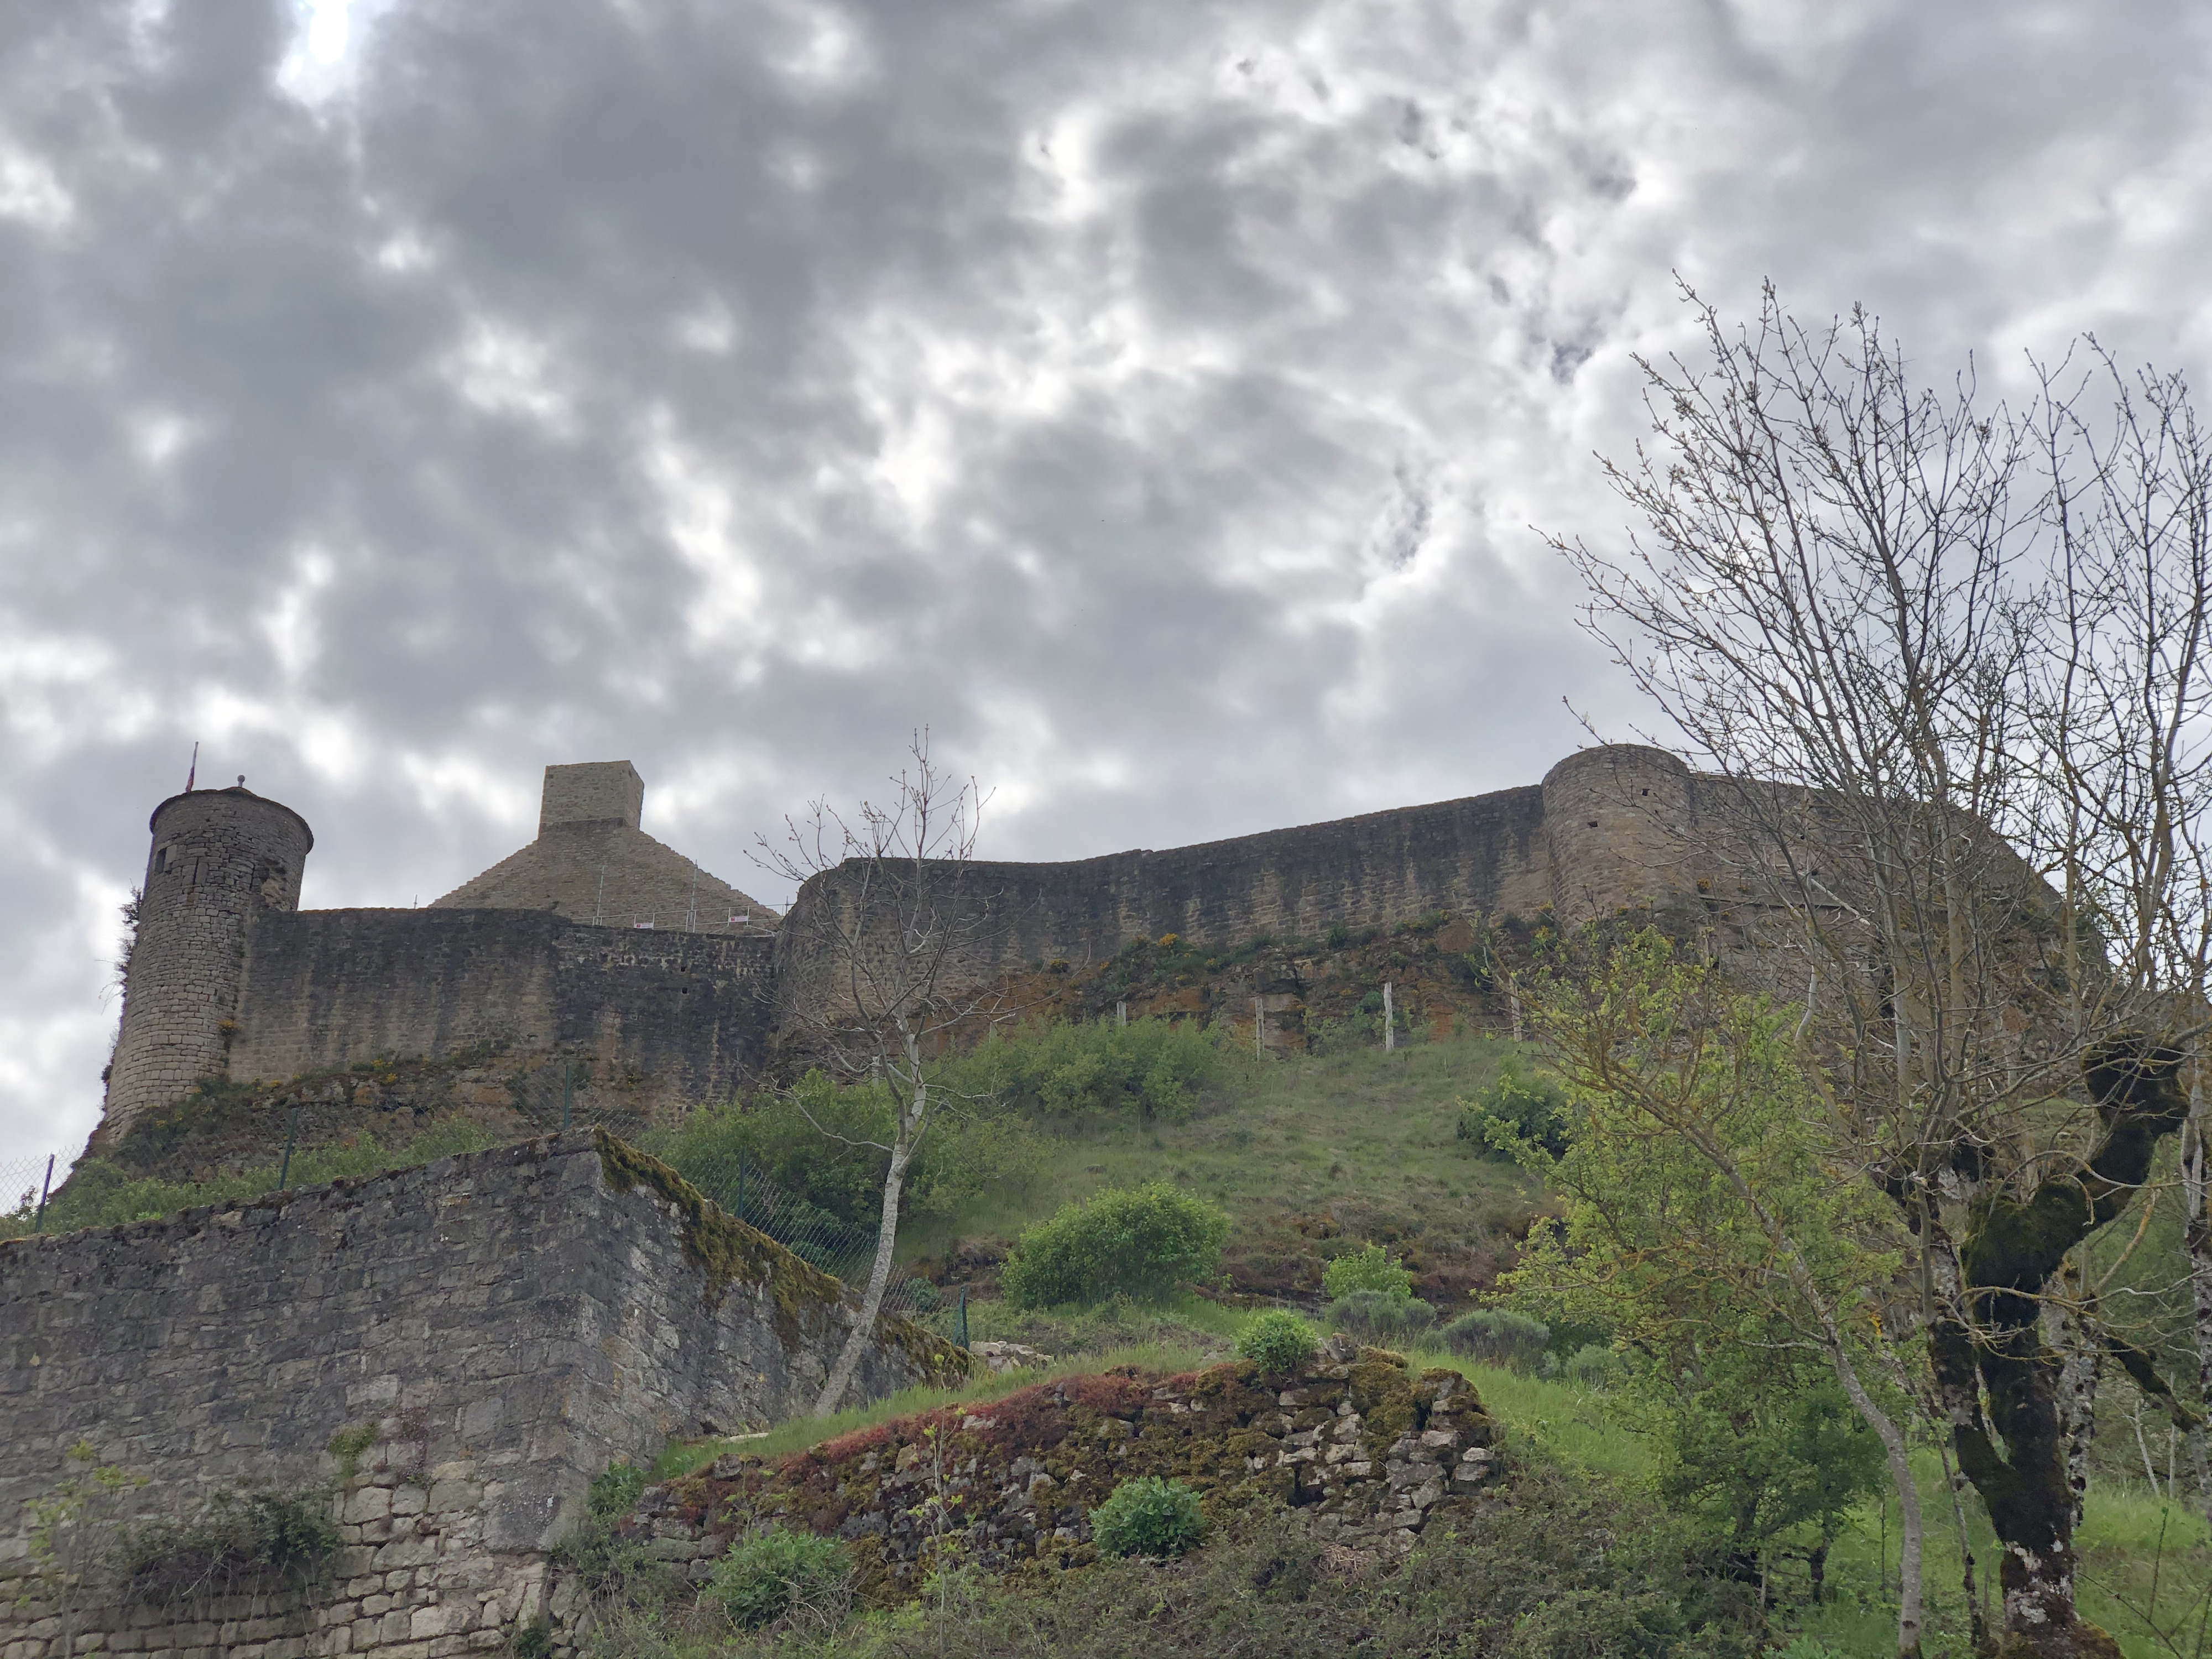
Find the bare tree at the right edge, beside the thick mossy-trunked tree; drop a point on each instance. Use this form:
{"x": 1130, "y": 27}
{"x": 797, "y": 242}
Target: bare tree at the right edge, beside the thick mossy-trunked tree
{"x": 2122, "y": 707}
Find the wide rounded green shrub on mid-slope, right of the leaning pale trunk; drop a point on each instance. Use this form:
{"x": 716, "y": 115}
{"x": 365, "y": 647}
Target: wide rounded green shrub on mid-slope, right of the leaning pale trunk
{"x": 1131, "y": 1242}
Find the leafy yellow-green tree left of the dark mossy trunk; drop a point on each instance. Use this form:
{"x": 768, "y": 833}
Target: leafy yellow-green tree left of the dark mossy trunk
{"x": 1707, "y": 1224}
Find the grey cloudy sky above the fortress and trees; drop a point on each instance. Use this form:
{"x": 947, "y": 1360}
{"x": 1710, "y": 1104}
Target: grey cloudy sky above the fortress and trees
{"x": 1151, "y": 397}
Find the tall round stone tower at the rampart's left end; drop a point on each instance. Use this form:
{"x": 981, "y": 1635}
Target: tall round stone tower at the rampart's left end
{"x": 220, "y": 859}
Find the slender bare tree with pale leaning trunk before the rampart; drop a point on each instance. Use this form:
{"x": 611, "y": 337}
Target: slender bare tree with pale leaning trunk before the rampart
{"x": 884, "y": 948}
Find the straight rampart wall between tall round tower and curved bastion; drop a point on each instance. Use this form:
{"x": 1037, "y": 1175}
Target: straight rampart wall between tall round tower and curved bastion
{"x": 337, "y": 988}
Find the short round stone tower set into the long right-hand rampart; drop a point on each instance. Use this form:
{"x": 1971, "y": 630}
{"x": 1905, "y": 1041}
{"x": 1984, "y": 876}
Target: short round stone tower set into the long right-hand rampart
{"x": 1620, "y": 828}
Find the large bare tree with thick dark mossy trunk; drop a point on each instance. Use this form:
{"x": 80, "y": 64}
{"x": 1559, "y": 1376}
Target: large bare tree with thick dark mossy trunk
{"x": 1841, "y": 605}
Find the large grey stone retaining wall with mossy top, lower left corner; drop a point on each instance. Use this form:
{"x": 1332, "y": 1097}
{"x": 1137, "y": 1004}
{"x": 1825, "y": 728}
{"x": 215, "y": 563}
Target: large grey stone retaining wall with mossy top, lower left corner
{"x": 497, "y": 1328}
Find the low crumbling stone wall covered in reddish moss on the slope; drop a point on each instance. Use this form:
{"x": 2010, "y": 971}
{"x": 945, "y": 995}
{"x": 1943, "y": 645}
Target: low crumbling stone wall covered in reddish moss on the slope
{"x": 1359, "y": 1446}
